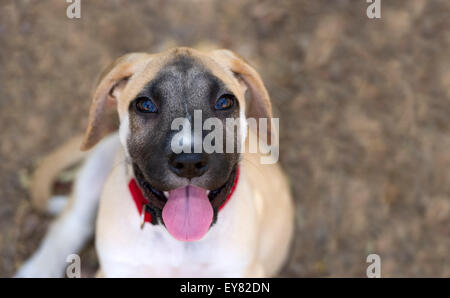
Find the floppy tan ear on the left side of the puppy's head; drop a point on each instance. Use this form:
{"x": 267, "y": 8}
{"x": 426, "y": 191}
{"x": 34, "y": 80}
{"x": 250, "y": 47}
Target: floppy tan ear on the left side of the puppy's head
{"x": 103, "y": 111}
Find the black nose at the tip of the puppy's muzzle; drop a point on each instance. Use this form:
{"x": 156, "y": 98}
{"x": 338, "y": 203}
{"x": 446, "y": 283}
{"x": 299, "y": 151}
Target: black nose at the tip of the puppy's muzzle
{"x": 188, "y": 165}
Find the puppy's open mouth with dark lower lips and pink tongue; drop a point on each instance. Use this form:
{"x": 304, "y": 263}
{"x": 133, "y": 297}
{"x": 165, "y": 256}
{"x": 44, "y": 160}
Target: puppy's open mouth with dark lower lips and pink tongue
{"x": 187, "y": 212}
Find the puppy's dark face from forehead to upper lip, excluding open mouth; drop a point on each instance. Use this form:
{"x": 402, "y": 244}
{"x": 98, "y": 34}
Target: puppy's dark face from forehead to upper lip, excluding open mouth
{"x": 180, "y": 88}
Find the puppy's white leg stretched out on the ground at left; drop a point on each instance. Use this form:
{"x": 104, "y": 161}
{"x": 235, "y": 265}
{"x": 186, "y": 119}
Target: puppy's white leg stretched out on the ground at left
{"x": 75, "y": 226}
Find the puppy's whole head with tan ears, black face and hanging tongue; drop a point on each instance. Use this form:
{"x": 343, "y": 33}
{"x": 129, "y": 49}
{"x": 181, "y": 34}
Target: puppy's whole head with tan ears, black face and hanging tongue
{"x": 166, "y": 100}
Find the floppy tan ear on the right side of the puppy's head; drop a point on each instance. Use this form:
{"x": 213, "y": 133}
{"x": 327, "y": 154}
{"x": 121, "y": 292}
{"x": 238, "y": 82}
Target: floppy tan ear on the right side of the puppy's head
{"x": 259, "y": 105}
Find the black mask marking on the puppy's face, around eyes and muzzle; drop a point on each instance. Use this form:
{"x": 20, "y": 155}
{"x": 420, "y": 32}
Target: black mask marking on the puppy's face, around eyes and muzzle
{"x": 179, "y": 88}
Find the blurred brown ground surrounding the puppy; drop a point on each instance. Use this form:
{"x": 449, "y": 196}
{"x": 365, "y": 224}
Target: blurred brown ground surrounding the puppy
{"x": 364, "y": 109}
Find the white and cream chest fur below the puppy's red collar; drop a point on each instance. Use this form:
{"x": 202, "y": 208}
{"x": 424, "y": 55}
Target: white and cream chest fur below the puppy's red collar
{"x": 228, "y": 249}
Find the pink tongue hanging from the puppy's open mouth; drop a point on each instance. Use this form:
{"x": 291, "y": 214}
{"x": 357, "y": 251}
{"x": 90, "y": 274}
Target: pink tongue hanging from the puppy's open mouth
{"x": 188, "y": 213}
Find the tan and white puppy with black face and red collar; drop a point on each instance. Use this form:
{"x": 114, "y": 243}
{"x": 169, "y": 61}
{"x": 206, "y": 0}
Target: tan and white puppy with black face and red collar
{"x": 163, "y": 213}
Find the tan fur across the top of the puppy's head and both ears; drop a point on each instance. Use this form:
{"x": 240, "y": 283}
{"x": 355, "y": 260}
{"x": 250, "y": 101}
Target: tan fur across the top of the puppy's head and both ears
{"x": 140, "y": 68}
